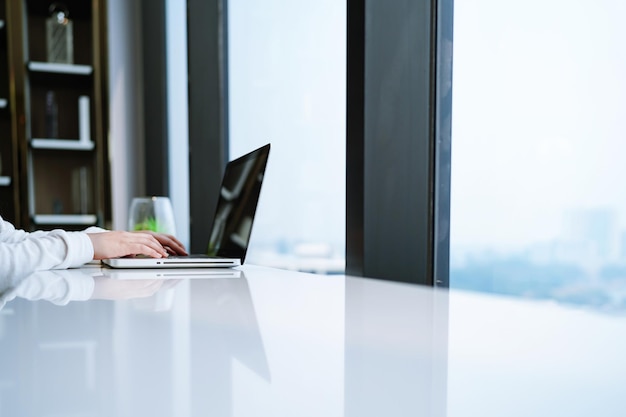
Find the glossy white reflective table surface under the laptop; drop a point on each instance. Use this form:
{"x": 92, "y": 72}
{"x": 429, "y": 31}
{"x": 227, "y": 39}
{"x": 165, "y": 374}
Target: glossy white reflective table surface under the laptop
{"x": 266, "y": 342}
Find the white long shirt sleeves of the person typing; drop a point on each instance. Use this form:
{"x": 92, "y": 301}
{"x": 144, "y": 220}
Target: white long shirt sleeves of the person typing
{"x": 22, "y": 253}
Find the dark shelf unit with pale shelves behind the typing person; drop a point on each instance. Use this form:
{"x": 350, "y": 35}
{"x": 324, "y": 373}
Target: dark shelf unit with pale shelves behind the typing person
{"x": 59, "y": 117}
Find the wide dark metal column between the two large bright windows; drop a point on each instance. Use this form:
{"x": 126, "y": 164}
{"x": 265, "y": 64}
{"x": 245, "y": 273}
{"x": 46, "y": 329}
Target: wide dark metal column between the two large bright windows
{"x": 392, "y": 140}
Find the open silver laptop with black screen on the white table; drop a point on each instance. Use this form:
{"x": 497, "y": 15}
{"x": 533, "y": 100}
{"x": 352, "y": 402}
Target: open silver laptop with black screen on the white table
{"x": 232, "y": 224}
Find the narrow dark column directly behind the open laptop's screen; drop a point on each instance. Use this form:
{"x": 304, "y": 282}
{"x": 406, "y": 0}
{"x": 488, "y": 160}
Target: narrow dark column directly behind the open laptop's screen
{"x": 208, "y": 106}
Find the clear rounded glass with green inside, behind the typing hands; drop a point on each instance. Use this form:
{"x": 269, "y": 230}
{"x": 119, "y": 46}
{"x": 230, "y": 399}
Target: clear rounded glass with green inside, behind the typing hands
{"x": 152, "y": 213}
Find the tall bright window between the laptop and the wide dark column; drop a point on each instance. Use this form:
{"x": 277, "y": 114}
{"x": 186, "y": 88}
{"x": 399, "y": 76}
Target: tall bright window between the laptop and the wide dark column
{"x": 287, "y": 83}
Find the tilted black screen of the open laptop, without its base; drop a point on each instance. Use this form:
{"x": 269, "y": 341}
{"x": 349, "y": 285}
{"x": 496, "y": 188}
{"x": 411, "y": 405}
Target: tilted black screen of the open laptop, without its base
{"x": 237, "y": 203}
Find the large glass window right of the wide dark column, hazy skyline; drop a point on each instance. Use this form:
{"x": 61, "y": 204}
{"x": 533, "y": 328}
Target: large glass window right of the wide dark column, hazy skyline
{"x": 538, "y": 208}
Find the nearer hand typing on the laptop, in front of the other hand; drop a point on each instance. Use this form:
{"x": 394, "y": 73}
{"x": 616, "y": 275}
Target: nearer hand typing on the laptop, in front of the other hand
{"x": 116, "y": 244}
